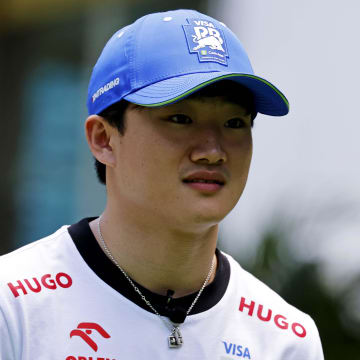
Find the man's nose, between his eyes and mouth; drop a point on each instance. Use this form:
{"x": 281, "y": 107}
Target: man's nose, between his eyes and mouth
{"x": 208, "y": 149}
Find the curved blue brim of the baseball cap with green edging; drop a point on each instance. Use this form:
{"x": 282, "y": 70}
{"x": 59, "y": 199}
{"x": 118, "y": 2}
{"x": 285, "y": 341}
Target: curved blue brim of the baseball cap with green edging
{"x": 268, "y": 99}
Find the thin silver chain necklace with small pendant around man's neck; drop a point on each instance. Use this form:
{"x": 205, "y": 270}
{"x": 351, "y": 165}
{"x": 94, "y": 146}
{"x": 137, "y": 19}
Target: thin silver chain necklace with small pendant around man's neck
{"x": 175, "y": 339}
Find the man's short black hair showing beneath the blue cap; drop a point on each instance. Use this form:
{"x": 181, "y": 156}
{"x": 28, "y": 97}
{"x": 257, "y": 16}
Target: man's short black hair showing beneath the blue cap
{"x": 232, "y": 91}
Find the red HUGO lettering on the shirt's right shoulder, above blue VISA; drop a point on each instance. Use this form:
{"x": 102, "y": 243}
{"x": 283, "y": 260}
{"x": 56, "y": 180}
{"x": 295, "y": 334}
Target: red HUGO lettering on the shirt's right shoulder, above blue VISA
{"x": 279, "y": 320}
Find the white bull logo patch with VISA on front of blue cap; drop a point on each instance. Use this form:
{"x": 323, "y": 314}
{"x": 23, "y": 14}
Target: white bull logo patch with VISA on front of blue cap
{"x": 207, "y": 41}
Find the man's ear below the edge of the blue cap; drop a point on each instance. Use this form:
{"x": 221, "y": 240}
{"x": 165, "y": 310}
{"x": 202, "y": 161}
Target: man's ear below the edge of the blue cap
{"x": 98, "y": 134}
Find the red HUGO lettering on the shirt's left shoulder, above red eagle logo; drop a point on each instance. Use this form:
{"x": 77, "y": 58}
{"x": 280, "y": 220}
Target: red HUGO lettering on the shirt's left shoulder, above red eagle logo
{"x": 35, "y": 285}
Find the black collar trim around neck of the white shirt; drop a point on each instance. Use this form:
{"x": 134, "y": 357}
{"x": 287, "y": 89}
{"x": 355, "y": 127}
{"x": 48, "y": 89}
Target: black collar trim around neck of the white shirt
{"x": 103, "y": 267}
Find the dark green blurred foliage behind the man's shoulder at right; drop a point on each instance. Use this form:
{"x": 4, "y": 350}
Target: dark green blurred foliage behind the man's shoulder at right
{"x": 301, "y": 284}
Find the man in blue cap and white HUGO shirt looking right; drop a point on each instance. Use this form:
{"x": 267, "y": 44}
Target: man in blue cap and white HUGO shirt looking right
{"x": 171, "y": 104}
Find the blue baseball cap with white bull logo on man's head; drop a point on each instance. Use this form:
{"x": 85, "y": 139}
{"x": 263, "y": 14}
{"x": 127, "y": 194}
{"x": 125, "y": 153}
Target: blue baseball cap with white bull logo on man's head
{"x": 164, "y": 57}
